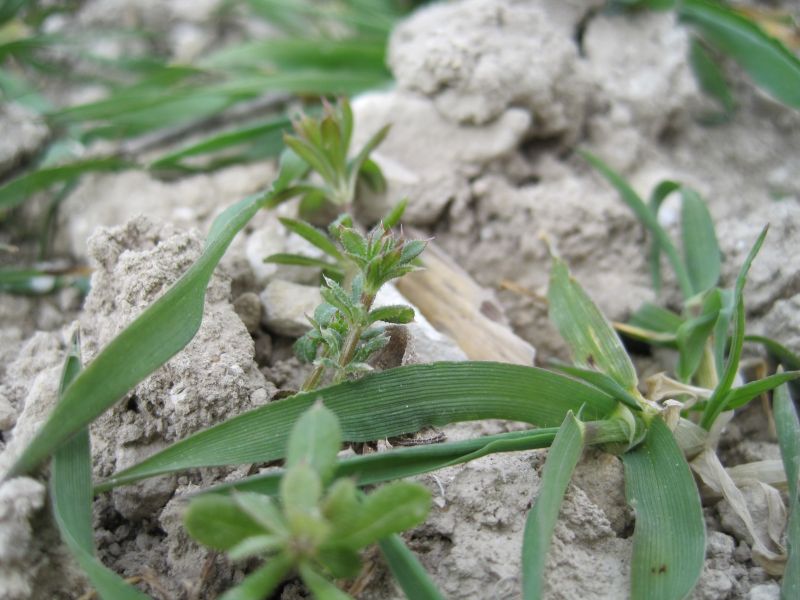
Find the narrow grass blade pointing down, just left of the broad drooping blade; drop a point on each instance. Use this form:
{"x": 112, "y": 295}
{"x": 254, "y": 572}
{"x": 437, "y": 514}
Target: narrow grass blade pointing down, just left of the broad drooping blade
{"x": 542, "y": 518}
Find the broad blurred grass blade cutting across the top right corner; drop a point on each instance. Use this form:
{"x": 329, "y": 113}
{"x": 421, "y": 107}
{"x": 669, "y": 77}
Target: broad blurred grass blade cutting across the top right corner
{"x": 771, "y": 65}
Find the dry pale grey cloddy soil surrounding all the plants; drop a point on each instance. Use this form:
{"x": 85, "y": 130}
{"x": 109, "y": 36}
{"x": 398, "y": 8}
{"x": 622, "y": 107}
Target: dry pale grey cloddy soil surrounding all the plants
{"x": 492, "y": 99}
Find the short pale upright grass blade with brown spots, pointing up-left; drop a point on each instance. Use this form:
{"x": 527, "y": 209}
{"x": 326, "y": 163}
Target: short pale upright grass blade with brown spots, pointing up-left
{"x": 591, "y": 338}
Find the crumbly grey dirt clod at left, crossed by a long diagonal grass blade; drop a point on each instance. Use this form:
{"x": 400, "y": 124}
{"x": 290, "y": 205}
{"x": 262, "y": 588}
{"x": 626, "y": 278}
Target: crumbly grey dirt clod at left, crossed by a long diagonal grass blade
{"x": 211, "y": 379}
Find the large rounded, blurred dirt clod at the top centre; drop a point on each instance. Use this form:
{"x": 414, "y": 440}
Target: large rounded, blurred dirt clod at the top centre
{"x": 478, "y": 58}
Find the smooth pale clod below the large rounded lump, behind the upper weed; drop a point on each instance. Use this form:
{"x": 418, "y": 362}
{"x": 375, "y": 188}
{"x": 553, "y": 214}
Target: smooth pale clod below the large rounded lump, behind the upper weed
{"x": 426, "y": 157}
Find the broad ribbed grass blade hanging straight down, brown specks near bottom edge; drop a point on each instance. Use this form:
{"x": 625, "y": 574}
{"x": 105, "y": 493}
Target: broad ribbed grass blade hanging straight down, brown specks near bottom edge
{"x": 669, "y": 536}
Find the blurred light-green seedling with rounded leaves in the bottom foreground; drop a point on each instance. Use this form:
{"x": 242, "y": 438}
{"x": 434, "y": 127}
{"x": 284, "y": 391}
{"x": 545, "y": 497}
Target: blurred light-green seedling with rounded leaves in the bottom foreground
{"x": 317, "y": 526}
